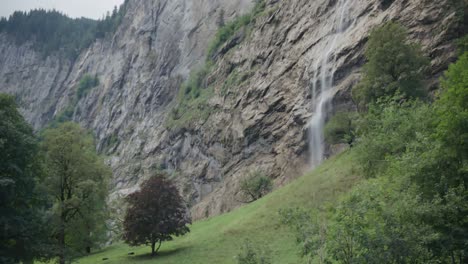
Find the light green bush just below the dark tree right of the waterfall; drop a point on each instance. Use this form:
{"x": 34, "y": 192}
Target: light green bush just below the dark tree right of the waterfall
{"x": 388, "y": 128}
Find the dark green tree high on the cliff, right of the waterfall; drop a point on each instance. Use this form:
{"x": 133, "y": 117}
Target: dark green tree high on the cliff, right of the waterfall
{"x": 394, "y": 66}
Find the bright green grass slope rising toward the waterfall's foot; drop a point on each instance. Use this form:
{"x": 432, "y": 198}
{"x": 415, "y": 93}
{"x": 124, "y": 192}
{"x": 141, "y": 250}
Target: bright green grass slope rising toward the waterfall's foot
{"x": 218, "y": 239}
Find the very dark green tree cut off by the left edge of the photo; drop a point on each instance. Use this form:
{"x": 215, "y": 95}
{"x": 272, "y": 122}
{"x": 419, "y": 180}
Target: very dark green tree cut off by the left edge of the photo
{"x": 21, "y": 221}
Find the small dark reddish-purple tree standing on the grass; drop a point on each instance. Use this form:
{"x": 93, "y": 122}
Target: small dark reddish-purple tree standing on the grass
{"x": 155, "y": 214}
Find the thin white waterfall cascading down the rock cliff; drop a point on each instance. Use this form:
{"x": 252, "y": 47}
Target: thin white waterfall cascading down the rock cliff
{"x": 321, "y": 98}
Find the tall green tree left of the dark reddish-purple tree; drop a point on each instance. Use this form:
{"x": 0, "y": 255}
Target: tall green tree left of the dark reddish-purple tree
{"x": 76, "y": 180}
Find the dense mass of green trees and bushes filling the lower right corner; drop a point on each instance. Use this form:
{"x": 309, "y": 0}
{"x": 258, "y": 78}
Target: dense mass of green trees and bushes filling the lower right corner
{"x": 415, "y": 209}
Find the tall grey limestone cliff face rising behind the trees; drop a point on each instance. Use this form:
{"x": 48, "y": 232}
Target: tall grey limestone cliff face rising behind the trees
{"x": 258, "y": 122}
